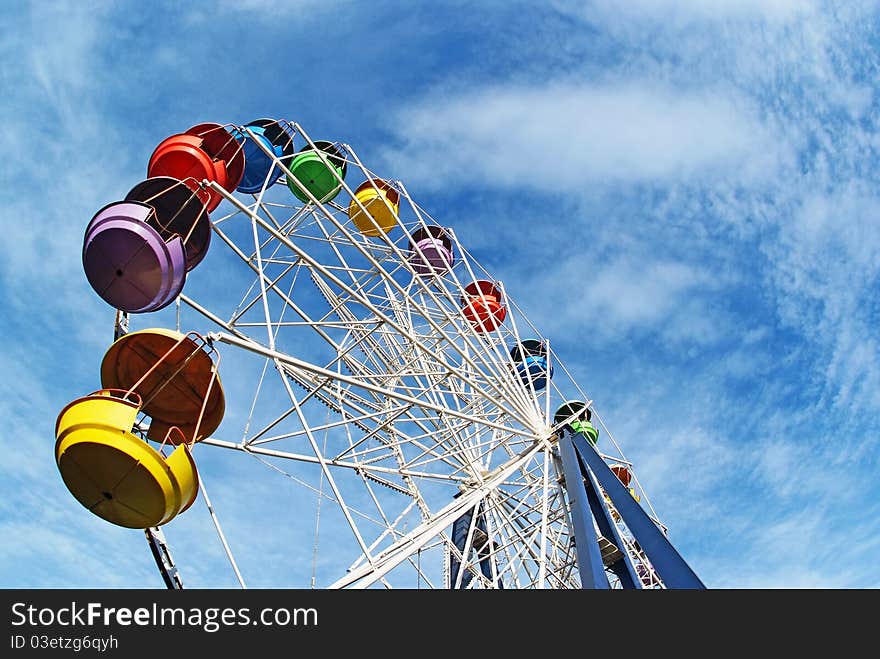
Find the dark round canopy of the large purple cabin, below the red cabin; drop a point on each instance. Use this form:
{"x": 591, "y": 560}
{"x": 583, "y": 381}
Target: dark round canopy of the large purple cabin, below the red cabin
{"x": 181, "y": 210}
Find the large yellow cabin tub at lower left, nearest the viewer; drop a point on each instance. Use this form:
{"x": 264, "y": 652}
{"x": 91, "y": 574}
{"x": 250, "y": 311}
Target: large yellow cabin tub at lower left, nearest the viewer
{"x": 113, "y": 473}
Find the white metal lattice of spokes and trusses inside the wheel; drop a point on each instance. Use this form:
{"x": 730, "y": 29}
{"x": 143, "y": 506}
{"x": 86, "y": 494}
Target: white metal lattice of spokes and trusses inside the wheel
{"x": 407, "y": 414}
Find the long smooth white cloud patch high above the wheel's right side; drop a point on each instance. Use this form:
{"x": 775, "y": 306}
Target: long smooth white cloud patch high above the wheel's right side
{"x": 566, "y": 135}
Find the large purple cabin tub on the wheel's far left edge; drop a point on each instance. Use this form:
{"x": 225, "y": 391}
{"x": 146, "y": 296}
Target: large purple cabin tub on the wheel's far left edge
{"x": 128, "y": 263}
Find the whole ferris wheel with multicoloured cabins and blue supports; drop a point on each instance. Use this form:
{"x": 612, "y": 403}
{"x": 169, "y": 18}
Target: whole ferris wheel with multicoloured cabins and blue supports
{"x": 376, "y": 368}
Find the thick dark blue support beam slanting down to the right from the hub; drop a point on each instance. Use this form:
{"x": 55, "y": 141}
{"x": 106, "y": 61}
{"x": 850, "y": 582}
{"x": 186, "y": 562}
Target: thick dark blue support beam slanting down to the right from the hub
{"x": 667, "y": 562}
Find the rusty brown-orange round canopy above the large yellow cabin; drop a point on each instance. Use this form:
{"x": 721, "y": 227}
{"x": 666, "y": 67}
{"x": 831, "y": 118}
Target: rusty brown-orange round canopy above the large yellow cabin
{"x": 175, "y": 376}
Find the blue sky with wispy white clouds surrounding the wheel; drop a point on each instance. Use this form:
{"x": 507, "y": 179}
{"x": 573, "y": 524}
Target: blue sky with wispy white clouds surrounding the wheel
{"x": 682, "y": 194}
